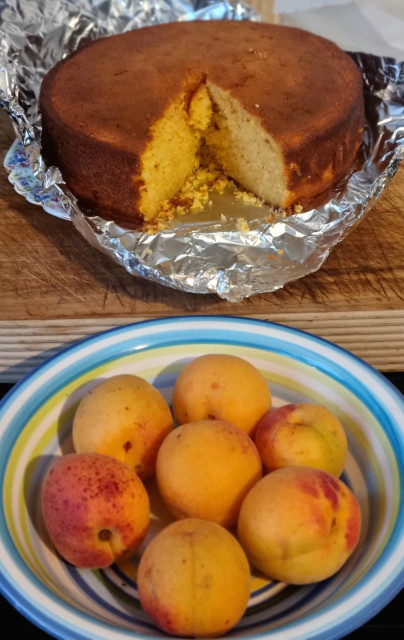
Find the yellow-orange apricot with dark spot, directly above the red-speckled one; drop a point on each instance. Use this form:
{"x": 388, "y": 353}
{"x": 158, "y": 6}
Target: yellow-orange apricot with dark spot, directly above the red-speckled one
{"x": 125, "y": 417}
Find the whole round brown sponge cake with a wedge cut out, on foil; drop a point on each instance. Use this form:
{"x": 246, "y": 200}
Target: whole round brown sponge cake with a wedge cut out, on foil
{"x": 279, "y": 109}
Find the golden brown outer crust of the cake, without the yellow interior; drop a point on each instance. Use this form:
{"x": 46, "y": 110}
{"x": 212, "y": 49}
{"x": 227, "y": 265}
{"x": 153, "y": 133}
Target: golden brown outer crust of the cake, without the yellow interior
{"x": 98, "y": 104}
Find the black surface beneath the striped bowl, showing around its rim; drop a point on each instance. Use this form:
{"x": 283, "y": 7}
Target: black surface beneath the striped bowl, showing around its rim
{"x": 388, "y": 624}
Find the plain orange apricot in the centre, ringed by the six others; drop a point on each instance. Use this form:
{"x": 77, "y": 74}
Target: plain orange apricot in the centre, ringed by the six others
{"x": 204, "y": 470}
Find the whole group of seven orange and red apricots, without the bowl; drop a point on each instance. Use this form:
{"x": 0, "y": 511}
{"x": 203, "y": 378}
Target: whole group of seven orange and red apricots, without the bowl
{"x": 247, "y": 486}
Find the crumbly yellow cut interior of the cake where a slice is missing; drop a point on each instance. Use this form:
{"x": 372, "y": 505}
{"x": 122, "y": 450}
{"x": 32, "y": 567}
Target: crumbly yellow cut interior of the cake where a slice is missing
{"x": 209, "y": 127}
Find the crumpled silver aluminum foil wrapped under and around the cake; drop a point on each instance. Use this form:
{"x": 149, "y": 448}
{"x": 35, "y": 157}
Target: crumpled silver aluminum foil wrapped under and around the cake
{"x": 209, "y": 252}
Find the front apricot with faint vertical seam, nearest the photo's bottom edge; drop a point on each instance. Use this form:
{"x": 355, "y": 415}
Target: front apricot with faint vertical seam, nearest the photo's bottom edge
{"x": 194, "y": 579}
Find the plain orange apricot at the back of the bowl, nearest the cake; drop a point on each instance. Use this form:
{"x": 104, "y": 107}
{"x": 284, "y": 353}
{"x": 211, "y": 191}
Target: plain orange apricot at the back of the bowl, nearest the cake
{"x": 221, "y": 387}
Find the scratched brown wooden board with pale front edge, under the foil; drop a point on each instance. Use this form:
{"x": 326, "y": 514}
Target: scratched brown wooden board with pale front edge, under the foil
{"x": 56, "y": 288}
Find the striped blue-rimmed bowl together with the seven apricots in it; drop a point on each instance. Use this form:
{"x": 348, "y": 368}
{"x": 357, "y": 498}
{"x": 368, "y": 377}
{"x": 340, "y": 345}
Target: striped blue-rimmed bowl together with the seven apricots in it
{"x": 201, "y": 476}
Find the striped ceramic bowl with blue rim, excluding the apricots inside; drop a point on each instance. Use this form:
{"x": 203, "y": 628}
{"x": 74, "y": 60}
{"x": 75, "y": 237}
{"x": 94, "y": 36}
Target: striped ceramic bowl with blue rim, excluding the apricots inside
{"x": 35, "y": 426}
